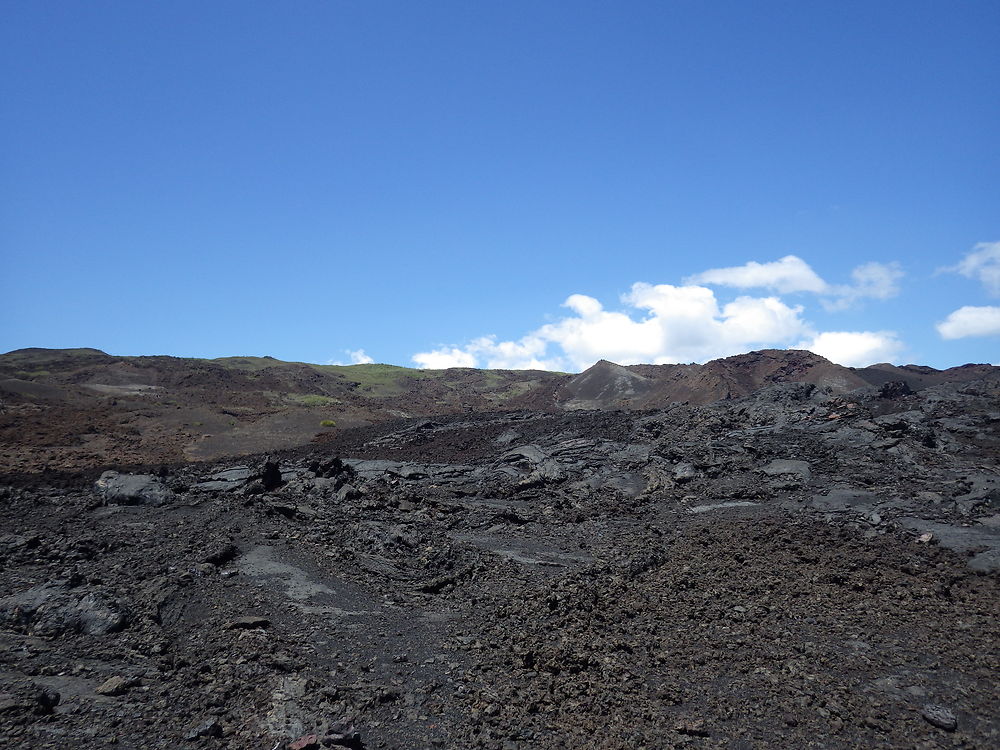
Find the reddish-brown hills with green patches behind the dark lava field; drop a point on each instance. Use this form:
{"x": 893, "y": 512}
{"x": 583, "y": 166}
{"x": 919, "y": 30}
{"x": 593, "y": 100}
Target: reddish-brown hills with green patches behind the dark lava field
{"x": 70, "y": 408}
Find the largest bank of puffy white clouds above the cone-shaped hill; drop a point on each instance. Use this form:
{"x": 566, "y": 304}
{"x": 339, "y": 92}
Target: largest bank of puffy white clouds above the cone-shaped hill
{"x": 668, "y": 324}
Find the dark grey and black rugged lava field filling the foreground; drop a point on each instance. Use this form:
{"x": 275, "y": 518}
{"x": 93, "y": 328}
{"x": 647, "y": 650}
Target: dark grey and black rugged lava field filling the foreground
{"x": 795, "y": 568}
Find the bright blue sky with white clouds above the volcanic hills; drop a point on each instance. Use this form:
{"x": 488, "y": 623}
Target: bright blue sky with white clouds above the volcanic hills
{"x": 328, "y": 181}
